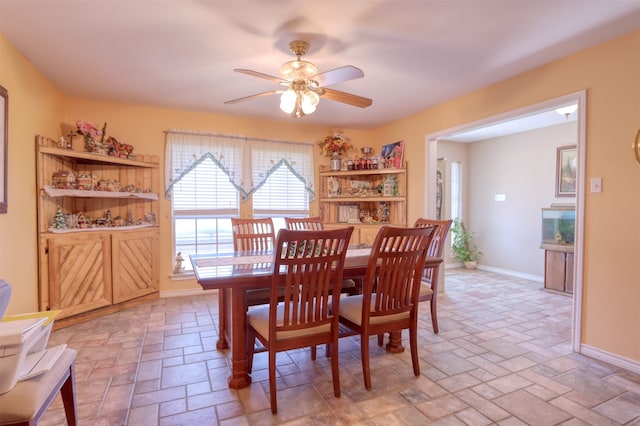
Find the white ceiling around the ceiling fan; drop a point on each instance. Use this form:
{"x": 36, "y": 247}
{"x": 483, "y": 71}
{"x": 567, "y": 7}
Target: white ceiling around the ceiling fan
{"x": 415, "y": 54}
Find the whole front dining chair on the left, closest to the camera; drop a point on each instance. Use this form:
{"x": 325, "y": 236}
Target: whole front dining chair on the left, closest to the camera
{"x": 311, "y": 265}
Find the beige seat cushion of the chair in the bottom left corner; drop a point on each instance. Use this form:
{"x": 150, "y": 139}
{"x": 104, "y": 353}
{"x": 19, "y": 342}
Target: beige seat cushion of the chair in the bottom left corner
{"x": 23, "y": 401}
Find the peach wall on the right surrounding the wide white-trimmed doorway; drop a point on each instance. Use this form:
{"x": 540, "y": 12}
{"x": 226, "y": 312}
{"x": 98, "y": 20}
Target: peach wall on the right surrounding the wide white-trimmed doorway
{"x": 609, "y": 73}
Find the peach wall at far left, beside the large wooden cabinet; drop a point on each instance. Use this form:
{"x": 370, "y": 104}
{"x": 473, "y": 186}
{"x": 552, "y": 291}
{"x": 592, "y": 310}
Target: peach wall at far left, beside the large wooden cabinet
{"x": 34, "y": 105}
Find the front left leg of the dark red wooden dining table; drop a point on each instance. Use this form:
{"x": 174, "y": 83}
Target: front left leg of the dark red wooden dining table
{"x": 240, "y": 377}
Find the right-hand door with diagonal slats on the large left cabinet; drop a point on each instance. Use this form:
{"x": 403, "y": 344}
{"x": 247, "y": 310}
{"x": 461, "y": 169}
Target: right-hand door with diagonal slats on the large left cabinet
{"x": 135, "y": 256}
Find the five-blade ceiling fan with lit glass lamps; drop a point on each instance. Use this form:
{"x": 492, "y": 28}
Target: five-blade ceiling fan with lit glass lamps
{"x": 305, "y": 85}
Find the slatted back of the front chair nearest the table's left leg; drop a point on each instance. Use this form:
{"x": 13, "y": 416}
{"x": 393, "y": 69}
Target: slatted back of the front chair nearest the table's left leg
{"x": 311, "y": 265}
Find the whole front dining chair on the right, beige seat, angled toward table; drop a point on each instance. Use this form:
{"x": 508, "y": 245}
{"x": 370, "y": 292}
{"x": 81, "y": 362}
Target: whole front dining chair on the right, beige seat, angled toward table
{"x": 389, "y": 299}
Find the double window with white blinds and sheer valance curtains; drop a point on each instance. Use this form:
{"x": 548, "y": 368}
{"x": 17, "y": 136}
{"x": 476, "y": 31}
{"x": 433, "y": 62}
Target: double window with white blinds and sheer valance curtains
{"x": 209, "y": 177}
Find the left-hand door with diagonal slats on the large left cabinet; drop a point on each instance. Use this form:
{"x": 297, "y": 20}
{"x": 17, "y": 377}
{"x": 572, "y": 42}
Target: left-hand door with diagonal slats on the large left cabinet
{"x": 79, "y": 269}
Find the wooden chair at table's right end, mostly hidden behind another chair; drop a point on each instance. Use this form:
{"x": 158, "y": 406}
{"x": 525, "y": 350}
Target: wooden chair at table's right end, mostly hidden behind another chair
{"x": 429, "y": 287}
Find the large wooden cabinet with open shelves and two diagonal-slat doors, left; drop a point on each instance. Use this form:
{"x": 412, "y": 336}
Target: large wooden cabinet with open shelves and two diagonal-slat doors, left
{"x": 97, "y": 231}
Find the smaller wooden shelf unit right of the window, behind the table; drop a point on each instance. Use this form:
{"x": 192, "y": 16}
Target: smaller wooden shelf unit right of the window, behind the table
{"x": 366, "y": 199}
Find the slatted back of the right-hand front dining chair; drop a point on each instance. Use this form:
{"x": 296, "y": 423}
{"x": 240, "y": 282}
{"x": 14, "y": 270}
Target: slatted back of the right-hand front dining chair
{"x": 392, "y": 283}
